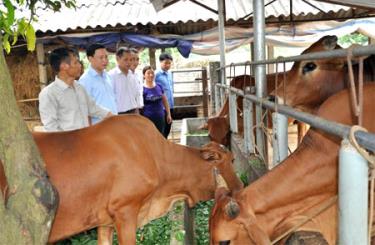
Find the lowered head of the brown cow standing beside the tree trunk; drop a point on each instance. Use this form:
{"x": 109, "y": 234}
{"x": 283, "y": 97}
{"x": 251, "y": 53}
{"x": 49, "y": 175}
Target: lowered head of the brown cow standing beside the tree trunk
{"x": 222, "y": 160}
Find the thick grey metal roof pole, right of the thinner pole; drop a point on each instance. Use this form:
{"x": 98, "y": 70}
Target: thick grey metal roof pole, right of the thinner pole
{"x": 260, "y": 70}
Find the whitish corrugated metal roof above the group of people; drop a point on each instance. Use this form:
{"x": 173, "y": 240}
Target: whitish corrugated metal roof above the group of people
{"x": 98, "y": 14}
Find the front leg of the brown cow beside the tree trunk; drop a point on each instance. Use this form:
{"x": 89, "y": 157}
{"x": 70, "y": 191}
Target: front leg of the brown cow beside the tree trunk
{"x": 126, "y": 225}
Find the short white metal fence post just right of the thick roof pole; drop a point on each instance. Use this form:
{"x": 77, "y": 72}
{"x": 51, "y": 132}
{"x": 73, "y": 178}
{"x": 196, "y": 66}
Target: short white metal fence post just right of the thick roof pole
{"x": 279, "y": 137}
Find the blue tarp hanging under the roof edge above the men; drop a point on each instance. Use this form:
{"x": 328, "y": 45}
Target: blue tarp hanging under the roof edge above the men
{"x": 110, "y": 40}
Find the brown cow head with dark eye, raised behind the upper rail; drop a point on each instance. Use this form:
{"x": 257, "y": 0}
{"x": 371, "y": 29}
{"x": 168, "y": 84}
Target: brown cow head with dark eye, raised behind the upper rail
{"x": 310, "y": 82}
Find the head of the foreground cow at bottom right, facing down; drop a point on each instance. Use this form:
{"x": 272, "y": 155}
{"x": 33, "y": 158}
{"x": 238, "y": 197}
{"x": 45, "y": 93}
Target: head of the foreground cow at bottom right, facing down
{"x": 232, "y": 223}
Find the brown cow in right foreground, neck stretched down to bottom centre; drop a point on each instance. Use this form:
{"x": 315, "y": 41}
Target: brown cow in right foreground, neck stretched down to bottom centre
{"x": 291, "y": 191}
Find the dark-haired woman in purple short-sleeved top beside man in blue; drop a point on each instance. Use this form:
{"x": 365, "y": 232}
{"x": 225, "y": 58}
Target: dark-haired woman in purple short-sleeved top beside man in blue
{"x": 155, "y": 101}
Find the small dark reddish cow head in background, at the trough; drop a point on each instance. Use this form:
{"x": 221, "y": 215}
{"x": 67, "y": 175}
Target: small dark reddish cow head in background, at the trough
{"x": 218, "y": 129}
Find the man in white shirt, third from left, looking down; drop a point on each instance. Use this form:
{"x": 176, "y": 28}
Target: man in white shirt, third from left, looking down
{"x": 124, "y": 82}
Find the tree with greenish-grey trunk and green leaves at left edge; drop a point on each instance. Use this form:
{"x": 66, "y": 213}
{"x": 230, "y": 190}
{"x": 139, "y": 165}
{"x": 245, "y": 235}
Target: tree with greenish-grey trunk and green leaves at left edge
{"x": 27, "y": 212}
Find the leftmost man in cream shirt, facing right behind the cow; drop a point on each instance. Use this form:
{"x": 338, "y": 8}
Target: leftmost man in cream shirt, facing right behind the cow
{"x": 64, "y": 104}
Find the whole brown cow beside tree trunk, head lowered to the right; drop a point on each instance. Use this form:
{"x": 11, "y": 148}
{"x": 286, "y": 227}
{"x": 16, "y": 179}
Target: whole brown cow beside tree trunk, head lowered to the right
{"x": 123, "y": 172}
